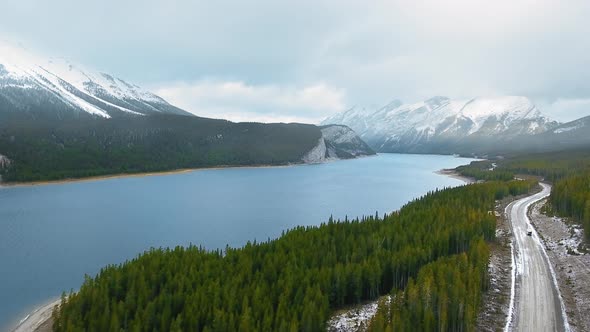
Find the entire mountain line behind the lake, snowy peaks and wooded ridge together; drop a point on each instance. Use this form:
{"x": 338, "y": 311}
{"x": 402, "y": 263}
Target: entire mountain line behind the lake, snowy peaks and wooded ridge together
{"x": 93, "y": 120}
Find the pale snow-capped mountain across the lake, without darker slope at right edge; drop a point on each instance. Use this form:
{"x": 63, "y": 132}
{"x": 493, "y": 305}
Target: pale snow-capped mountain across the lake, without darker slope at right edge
{"x": 441, "y": 123}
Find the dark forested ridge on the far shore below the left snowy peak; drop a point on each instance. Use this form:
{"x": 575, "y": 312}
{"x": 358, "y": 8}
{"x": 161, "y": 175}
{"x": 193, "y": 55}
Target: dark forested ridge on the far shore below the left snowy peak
{"x": 53, "y": 150}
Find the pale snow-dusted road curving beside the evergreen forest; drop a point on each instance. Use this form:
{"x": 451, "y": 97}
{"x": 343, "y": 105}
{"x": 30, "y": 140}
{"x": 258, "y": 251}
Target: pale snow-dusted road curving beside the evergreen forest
{"x": 536, "y": 300}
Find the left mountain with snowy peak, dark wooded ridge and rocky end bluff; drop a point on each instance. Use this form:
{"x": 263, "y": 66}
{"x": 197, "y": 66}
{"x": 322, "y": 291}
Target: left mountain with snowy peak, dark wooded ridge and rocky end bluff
{"x": 61, "y": 120}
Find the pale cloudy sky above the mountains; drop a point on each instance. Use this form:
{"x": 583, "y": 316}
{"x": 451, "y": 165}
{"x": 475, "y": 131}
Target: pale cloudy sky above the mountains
{"x": 301, "y": 61}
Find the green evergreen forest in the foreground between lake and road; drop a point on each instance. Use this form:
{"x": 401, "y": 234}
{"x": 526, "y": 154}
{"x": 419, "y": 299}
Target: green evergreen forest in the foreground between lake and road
{"x": 293, "y": 283}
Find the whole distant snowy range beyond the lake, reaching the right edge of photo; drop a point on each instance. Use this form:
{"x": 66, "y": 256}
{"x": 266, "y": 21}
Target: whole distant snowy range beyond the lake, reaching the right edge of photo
{"x": 478, "y": 126}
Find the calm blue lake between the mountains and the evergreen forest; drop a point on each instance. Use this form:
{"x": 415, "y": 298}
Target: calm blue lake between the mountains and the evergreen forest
{"x": 51, "y": 235}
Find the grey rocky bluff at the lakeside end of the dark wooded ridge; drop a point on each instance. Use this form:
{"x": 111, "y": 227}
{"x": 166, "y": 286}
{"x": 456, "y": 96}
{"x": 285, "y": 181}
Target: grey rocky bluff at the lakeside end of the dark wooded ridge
{"x": 337, "y": 142}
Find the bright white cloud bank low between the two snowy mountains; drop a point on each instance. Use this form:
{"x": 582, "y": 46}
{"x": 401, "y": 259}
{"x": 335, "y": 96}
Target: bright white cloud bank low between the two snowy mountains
{"x": 238, "y": 101}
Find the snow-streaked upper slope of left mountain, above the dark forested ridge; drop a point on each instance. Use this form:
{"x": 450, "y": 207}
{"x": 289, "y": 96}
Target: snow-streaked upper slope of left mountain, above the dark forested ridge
{"x": 42, "y": 88}
